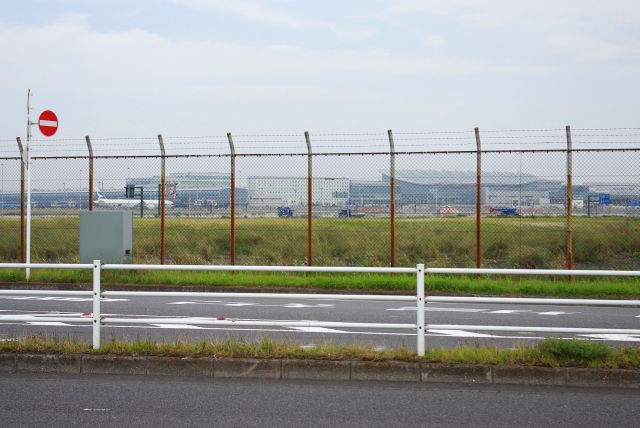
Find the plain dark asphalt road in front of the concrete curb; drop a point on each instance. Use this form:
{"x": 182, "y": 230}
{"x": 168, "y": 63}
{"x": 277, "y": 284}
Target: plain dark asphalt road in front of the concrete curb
{"x": 80, "y": 401}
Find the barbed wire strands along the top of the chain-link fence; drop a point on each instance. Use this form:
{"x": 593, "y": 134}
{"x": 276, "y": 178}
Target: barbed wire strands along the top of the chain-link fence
{"x": 332, "y": 143}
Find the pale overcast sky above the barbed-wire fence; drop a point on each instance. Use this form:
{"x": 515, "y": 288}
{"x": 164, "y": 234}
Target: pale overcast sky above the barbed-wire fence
{"x": 203, "y": 67}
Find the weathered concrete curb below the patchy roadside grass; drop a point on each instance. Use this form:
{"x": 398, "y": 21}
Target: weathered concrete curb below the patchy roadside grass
{"x": 394, "y": 371}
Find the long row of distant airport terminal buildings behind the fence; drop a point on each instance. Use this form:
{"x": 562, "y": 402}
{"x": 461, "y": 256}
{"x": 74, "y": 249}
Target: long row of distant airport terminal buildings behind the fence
{"x": 423, "y": 190}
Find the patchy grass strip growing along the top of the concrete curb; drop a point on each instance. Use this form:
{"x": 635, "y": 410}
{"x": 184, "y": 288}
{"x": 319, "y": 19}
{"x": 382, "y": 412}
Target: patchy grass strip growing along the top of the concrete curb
{"x": 548, "y": 353}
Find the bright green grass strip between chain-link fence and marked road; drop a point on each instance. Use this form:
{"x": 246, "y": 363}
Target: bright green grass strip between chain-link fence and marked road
{"x": 405, "y": 284}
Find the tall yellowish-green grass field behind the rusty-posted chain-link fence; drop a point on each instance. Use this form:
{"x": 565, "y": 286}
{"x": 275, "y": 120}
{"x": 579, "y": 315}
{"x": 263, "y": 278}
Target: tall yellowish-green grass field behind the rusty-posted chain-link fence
{"x": 526, "y": 242}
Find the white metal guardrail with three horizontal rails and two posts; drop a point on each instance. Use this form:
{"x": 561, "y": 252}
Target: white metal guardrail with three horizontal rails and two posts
{"x": 97, "y": 320}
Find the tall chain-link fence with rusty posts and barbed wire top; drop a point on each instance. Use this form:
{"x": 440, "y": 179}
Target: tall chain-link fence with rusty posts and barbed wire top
{"x": 515, "y": 198}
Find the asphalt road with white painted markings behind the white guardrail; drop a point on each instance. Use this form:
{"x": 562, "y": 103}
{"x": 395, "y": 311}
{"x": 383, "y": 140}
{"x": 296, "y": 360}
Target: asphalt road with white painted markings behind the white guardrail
{"x": 319, "y": 310}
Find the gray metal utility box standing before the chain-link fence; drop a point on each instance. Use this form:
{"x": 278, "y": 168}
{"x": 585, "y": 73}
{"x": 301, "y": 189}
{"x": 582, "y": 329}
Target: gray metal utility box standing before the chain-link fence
{"x": 106, "y": 236}
